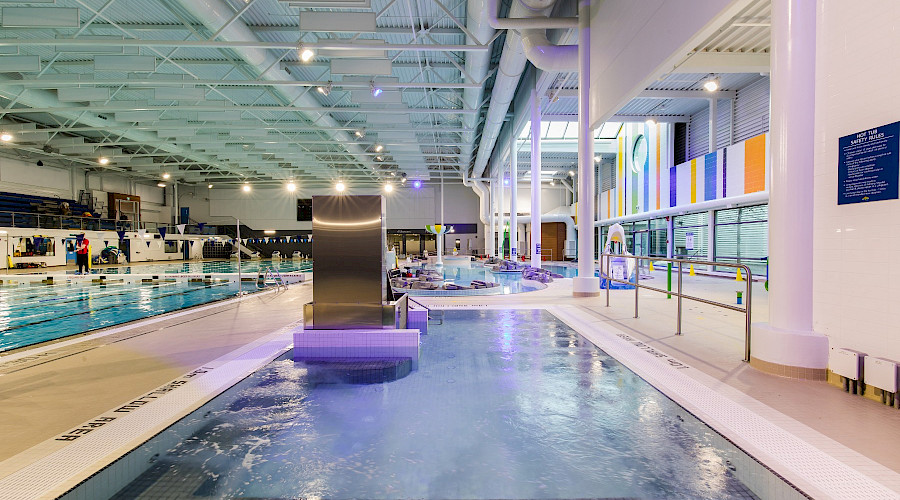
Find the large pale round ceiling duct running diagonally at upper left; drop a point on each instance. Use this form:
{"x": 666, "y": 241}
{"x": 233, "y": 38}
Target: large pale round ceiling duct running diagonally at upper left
{"x": 214, "y": 14}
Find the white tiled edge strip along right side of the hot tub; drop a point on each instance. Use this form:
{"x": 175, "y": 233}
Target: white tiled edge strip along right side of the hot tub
{"x": 818, "y": 465}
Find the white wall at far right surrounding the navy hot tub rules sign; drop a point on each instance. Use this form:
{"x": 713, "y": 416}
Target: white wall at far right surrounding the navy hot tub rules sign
{"x": 855, "y": 247}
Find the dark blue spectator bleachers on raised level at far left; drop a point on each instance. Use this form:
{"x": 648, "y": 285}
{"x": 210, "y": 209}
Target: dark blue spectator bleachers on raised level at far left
{"x": 23, "y": 210}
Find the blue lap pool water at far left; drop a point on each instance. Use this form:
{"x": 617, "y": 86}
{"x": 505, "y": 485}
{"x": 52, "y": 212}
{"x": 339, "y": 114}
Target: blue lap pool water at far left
{"x": 30, "y": 314}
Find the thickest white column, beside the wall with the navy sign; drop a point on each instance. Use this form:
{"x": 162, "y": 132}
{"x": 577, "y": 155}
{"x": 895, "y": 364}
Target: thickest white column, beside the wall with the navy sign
{"x": 788, "y": 338}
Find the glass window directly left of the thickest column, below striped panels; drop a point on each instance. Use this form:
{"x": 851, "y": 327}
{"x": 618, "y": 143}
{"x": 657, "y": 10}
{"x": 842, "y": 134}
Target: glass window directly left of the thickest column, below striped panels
{"x": 742, "y": 237}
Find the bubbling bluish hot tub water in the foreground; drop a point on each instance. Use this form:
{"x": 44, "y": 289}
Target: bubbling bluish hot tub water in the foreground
{"x": 505, "y": 404}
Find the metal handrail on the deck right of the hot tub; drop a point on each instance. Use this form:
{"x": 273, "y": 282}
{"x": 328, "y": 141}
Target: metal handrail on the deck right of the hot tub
{"x": 637, "y": 286}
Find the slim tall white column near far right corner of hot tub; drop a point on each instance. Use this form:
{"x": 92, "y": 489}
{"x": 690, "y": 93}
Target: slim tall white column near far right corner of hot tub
{"x": 585, "y": 284}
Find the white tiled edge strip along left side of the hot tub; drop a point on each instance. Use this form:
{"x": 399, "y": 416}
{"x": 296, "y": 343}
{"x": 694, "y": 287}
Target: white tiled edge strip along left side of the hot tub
{"x": 50, "y": 469}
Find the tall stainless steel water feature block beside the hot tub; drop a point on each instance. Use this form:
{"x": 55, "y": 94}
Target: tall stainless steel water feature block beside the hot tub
{"x": 348, "y": 264}
